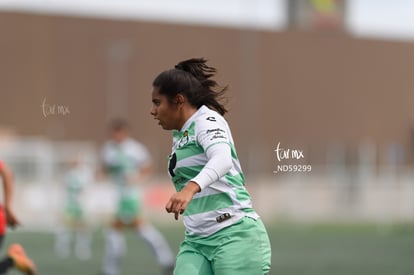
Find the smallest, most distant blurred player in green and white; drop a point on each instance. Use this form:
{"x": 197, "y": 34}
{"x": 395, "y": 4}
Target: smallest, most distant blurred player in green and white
{"x": 74, "y": 226}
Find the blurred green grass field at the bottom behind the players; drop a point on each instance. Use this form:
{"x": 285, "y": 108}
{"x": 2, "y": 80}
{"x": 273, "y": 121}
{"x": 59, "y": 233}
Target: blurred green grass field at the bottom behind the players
{"x": 297, "y": 250}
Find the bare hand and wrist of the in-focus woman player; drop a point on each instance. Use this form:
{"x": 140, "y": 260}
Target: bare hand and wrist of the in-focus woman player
{"x": 179, "y": 201}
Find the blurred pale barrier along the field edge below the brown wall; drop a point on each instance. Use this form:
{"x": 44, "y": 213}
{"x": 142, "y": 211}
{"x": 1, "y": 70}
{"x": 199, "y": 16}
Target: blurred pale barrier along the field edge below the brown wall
{"x": 333, "y": 192}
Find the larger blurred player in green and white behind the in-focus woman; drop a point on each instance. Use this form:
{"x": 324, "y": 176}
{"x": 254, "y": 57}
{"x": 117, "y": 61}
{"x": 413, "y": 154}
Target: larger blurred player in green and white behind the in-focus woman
{"x": 127, "y": 161}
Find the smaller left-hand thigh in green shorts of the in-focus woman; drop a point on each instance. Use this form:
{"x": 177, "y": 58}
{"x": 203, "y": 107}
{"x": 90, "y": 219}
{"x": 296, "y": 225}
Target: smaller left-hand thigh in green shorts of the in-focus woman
{"x": 191, "y": 262}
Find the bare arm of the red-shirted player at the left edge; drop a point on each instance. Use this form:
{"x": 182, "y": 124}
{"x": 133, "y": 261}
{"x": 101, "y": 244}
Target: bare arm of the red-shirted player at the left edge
{"x": 7, "y": 177}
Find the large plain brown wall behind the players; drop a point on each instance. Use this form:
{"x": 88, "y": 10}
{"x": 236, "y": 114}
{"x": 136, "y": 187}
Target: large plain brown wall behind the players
{"x": 303, "y": 89}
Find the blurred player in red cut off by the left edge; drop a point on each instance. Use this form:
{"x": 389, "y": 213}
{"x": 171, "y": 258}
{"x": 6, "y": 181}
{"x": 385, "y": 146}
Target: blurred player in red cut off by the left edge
{"x": 16, "y": 256}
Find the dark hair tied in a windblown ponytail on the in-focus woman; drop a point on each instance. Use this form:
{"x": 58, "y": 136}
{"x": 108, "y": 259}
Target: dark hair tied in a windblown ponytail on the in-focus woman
{"x": 192, "y": 78}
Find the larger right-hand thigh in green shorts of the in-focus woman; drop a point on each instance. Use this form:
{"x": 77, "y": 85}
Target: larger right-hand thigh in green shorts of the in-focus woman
{"x": 245, "y": 252}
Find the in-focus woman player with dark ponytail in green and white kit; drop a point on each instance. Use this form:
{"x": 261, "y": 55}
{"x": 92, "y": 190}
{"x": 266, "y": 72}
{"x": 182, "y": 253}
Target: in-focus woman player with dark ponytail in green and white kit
{"x": 224, "y": 235}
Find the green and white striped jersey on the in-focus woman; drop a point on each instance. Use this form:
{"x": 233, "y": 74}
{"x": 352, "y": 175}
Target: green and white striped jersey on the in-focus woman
{"x": 221, "y": 203}
